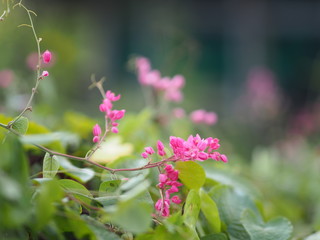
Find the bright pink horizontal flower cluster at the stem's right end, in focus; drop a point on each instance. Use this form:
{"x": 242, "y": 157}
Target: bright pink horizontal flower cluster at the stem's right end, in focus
{"x": 196, "y": 148}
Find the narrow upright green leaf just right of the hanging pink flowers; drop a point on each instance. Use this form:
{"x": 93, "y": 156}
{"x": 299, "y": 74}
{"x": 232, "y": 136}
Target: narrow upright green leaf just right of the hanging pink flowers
{"x": 192, "y": 208}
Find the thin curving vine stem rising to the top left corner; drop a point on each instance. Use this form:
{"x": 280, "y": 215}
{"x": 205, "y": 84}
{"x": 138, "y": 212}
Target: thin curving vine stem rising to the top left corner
{"x": 39, "y": 77}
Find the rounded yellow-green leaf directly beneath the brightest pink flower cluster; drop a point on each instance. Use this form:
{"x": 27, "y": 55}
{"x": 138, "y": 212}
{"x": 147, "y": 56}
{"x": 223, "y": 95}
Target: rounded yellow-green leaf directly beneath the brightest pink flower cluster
{"x": 191, "y": 174}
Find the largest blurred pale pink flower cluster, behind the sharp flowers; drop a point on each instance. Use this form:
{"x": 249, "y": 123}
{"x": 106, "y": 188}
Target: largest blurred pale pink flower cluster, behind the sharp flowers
{"x": 148, "y": 77}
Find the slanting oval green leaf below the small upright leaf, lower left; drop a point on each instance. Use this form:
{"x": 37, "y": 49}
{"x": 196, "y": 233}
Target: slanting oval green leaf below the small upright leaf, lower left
{"x": 77, "y": 190}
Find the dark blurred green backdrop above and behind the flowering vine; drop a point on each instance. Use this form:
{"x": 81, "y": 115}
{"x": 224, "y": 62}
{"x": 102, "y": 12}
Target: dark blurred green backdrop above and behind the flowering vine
{"x": 215, "y": 44}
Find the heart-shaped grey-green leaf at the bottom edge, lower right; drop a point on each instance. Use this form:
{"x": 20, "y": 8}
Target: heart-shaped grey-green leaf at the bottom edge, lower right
{"x": 279, "y": 228}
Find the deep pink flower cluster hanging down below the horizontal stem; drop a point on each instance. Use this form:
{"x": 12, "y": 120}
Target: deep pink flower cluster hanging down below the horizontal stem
{"x": 168, "y": 184}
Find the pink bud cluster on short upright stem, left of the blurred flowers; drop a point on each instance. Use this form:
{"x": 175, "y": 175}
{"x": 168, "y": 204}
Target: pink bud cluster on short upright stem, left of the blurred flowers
{"x": 114, "y": 115}
